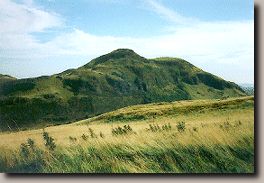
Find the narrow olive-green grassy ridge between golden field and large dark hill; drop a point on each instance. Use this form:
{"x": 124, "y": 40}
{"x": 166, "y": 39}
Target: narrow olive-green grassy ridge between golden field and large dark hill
{"x": 146, "y": 111}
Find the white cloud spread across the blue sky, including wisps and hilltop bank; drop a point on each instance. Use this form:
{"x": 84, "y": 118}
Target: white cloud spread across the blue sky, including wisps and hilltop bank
{"x": 224, "y": 48}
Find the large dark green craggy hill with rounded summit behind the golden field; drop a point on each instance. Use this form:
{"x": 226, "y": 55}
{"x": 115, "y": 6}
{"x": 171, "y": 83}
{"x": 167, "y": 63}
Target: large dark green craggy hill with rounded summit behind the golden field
{"x": 120, "y": 78}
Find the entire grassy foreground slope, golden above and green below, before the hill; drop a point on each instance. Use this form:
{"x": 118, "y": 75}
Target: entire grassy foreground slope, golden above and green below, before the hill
{"x": 199, "y": 136}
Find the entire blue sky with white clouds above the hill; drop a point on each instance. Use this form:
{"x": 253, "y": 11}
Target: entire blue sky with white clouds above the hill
{"x": 44, "y": 37}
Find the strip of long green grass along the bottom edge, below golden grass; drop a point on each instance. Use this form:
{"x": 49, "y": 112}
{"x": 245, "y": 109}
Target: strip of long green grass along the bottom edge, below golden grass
{"x": 123, "y": 158}
